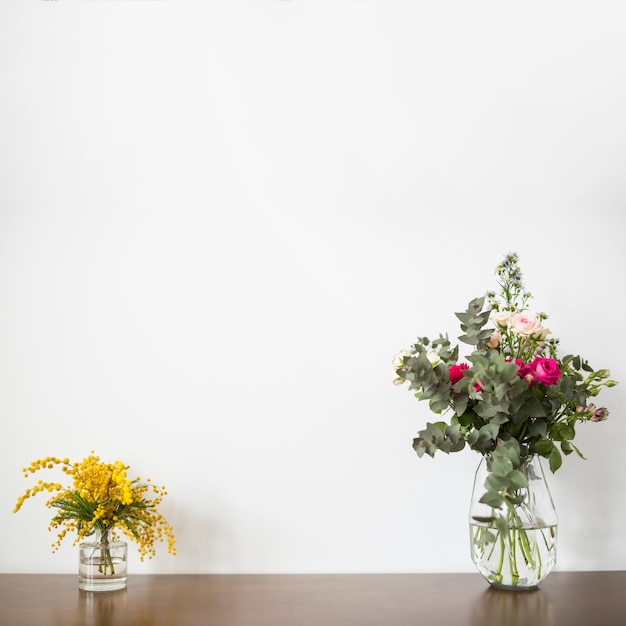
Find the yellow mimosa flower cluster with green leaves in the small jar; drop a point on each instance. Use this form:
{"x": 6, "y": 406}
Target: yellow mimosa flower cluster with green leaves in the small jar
{"x": 103, "y": 499}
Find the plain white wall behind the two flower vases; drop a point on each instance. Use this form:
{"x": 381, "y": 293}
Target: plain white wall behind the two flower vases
{"x": 220, "y": 220}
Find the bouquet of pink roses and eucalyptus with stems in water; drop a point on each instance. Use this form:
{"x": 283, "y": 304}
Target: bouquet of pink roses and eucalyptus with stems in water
{"x": 512, "y": 400}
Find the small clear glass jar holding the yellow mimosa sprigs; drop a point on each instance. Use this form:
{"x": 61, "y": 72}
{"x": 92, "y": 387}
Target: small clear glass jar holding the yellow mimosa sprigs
{"x": 102, "y": 564}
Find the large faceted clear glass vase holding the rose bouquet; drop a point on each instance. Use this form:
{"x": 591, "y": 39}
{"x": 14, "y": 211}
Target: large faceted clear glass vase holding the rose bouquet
{"x": 514, "y": 547}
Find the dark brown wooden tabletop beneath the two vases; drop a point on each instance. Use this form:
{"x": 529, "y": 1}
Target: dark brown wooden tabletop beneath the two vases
{"x": 568, "y": 599}
